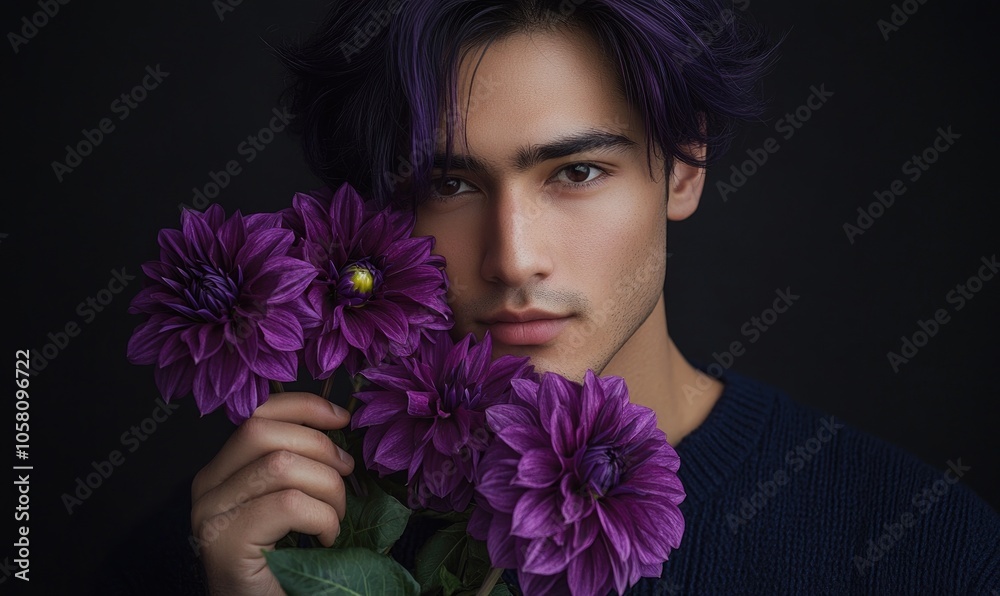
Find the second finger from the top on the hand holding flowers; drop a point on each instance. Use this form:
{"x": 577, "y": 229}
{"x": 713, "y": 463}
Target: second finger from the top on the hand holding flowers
{"x": 259, "y": 436}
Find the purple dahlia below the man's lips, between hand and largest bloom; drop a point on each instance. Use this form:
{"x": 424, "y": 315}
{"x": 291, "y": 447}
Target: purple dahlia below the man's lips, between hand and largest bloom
{"x": 425, "y": 414}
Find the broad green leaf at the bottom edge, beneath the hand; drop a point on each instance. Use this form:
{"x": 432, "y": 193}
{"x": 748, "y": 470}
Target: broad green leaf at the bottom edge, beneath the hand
{"x": 349, "y": 571}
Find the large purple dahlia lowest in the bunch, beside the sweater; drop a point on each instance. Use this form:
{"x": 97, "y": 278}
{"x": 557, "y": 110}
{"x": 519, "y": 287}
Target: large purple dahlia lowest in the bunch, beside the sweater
{"x": 579, "y": 491}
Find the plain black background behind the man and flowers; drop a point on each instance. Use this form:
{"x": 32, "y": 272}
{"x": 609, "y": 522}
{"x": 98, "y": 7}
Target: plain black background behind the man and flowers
{"x": 782, "y": 228}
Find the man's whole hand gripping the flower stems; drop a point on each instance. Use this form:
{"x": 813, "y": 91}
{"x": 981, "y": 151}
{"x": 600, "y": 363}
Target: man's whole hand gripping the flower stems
{"x": 277, "y": 473}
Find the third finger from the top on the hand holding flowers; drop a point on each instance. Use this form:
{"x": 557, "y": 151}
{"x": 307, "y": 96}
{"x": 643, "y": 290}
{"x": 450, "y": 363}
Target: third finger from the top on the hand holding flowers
{"x": 276, "y": 471}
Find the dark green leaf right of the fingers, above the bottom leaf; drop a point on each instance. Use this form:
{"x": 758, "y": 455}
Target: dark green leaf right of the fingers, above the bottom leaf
{"x": 375, "y": 521}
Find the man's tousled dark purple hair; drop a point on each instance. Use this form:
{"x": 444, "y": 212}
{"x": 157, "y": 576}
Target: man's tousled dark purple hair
{"x": 368, "y": 89}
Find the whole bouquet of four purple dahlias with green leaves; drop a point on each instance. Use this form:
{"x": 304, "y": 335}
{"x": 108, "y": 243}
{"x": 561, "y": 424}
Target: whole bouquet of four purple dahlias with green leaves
{"x": 567, "y": 483}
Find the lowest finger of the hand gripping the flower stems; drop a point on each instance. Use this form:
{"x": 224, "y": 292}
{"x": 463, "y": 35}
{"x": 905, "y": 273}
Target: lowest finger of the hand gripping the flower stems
{"x": 242, "y": 532}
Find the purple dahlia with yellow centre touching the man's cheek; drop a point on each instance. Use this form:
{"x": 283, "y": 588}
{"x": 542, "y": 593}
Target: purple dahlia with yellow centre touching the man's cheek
{"x": 376, "y": 289}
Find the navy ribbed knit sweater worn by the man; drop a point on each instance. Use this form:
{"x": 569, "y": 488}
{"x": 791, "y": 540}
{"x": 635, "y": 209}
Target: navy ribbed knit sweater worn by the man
{"x": 781, "y": 499}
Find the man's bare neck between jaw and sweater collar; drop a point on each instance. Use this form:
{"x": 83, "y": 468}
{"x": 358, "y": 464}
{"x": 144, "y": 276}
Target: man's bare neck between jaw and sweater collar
{"x": 660, "y": 378}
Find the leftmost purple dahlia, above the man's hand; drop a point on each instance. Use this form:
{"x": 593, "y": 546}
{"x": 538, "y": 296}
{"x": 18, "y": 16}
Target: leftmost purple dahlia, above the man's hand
{"x": 224, "y": 302}
